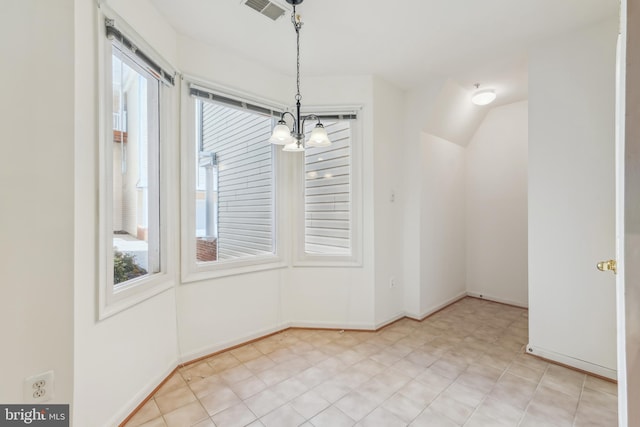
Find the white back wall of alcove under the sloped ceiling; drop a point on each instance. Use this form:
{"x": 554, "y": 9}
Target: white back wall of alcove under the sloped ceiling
{"x": 496, "y": 206}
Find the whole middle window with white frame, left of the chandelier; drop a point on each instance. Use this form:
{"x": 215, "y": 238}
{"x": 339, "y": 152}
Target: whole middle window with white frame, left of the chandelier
{"x": 229, "y": 186}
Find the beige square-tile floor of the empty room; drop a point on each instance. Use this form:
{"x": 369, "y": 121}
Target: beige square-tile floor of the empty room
{"x": 463, "y": 366}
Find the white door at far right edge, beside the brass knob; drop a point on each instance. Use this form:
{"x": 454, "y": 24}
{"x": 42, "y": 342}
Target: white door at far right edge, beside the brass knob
{"x": 628, "y": 213}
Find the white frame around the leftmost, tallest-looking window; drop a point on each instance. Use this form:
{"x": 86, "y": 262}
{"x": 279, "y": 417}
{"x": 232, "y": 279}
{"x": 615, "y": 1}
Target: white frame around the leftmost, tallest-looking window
{"x": 113, "y": 299}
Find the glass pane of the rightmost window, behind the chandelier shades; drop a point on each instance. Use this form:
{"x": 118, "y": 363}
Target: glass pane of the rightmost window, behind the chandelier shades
{"x": 327, "y": 197}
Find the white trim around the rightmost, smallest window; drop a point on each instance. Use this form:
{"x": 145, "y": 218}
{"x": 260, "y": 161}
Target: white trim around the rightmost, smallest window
{"x": 300, "y": 257}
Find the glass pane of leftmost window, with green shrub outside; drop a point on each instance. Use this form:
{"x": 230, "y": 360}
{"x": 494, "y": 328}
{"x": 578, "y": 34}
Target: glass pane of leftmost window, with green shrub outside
{"x": 135, "y": 150}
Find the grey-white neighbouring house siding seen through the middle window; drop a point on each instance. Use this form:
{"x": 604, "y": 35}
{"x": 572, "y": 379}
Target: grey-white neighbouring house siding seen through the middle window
{"x": 245, "y": 179}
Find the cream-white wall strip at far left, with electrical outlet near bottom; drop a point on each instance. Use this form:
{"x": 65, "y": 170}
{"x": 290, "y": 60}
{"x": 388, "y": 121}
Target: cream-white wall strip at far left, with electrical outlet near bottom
{"x": 37, "y": 213}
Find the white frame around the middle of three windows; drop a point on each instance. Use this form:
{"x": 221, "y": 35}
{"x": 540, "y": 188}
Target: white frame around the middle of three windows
{"x": 192, "y": 270}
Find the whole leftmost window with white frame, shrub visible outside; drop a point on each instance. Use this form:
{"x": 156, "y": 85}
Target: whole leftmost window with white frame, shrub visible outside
{"x": 134, "y": 92}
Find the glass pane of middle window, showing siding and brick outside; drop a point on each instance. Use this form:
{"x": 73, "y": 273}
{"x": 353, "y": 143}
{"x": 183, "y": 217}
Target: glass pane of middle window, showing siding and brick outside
{"x": 234, "y": 183}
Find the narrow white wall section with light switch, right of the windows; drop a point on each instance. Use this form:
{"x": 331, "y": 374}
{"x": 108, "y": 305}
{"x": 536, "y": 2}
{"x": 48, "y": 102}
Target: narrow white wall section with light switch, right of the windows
{"x": 388, "y": 141}
